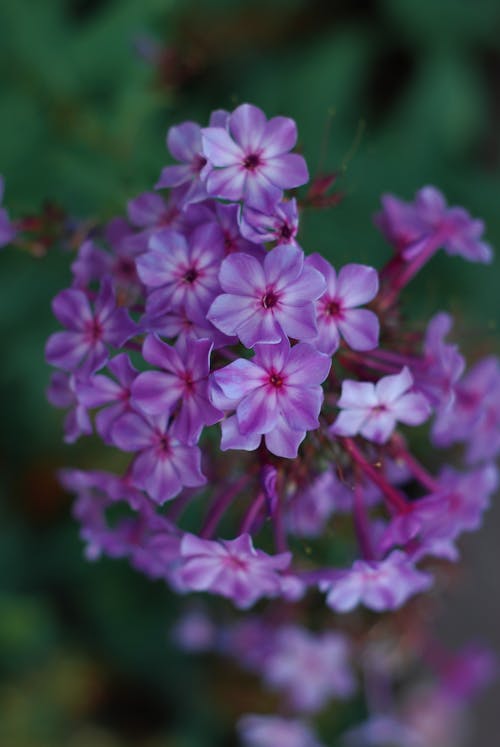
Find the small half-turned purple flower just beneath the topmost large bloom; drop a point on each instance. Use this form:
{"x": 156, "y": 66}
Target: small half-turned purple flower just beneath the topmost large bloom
{"x": 281, "y": 225}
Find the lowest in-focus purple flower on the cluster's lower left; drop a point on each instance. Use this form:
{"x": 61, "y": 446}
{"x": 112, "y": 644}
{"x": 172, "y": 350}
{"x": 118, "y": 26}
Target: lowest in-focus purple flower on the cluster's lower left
{"x": 163, "y": 466}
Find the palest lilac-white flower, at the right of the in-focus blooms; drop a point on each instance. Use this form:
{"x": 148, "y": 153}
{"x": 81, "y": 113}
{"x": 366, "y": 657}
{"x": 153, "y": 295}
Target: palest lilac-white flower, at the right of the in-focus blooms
{"x": 373, "y": 409}
